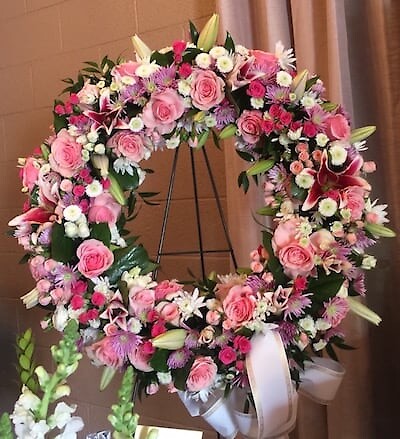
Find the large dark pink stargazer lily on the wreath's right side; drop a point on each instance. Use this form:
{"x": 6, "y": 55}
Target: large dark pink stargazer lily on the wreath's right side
{"x": 325, "y": 179}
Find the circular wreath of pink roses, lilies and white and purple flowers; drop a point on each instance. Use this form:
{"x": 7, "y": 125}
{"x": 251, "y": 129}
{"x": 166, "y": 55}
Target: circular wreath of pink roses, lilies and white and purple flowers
{"x": 83, "y": 182}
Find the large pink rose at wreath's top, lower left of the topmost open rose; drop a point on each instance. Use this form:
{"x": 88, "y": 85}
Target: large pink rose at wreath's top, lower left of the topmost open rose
{"x": 162, "y": 111}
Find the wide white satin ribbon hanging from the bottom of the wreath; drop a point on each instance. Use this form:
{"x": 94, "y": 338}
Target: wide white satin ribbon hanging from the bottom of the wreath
{"x": 273, "y": 392}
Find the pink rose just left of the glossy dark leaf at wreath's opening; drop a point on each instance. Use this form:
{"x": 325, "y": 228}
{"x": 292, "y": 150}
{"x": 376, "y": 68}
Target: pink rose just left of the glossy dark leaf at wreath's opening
{"x": 94, "y": 258}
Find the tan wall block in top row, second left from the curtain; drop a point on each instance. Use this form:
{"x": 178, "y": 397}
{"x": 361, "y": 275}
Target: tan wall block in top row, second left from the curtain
{"x": 98, "y": 21}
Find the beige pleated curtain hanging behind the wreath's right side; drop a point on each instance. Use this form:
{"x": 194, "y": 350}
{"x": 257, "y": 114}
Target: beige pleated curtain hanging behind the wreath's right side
{"x": 352, "y": 45}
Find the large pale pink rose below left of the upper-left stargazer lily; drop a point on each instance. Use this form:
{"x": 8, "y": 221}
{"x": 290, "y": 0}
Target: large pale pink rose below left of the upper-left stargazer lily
{"x": 66, "y": 155}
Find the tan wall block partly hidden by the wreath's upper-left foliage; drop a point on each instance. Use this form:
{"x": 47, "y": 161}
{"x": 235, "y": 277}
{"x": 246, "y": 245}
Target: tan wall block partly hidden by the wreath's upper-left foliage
{"x": 48, "y": 74}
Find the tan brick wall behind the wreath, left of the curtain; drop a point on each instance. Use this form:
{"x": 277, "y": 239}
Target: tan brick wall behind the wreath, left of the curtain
{"x": 43, "y": 41}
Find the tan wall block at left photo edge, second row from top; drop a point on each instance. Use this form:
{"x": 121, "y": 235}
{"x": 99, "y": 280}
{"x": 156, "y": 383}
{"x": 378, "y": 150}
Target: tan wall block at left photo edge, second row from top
{"x": 16, "y": 89}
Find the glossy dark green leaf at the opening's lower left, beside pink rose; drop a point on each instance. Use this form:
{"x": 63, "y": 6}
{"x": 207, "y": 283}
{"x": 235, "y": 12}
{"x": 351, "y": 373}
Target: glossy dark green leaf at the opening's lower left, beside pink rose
{"x": 125, "y": 259}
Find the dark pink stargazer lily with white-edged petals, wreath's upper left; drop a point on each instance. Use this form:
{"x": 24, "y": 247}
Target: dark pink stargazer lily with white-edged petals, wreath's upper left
{"x": 107, "y": 116}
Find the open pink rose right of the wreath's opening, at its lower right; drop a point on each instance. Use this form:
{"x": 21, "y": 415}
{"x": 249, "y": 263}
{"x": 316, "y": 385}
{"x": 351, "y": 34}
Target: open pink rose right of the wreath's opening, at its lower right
{"x": 296, "y": 260}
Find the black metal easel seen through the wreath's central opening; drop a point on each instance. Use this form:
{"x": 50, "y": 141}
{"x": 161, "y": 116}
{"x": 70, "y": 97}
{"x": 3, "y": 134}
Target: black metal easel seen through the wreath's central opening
{"x": 200, "y": 251}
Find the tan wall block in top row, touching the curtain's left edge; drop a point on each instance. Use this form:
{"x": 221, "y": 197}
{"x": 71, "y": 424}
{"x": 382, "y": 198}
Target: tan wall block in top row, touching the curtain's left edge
{"x": 170, "y": 13}
